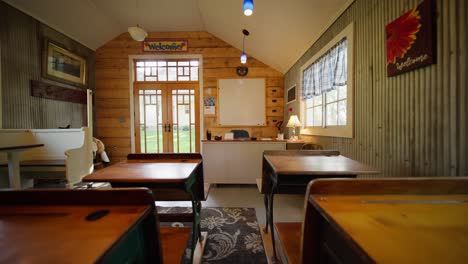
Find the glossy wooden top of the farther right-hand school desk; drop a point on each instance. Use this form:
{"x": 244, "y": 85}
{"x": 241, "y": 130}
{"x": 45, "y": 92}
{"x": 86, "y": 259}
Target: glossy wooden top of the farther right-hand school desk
{"x": 317, "y": 165}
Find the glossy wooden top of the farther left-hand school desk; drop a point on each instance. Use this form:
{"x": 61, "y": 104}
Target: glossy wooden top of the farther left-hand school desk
{"x": 146, "y": 171}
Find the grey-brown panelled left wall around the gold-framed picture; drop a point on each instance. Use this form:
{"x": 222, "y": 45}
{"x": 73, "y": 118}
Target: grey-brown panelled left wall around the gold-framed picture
{"x": 21, "y": 37}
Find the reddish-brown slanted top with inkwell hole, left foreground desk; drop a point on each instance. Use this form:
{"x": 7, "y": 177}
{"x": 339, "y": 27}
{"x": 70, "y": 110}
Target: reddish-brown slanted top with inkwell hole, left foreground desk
{"x": 47, "y": 234}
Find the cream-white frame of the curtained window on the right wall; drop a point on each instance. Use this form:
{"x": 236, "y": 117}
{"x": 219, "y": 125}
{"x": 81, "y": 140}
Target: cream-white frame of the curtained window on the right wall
{"x": 346, "y": 131}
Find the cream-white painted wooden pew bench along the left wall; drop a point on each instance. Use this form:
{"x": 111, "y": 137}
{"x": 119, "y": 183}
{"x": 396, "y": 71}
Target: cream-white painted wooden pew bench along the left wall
{"x": 67, "y": 154}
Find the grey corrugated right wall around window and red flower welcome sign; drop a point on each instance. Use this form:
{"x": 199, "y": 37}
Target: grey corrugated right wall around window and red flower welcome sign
{"x": 414, "y": 124}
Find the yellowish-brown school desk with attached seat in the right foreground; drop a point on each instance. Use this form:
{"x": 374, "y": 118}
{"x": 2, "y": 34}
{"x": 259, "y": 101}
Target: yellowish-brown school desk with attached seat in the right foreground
{"x": 335, "y": 206}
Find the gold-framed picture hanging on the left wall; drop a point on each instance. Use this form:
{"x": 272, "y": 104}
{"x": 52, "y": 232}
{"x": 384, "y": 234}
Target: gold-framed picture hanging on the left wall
{"x": 62, "y": 65}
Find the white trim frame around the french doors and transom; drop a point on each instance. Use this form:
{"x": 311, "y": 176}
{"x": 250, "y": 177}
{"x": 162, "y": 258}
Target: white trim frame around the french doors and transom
{"x": 131, "y": 79}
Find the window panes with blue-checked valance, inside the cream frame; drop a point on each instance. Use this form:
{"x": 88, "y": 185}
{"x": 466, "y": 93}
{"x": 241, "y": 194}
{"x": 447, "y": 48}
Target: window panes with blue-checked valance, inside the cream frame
{"x": 324, "y": 88}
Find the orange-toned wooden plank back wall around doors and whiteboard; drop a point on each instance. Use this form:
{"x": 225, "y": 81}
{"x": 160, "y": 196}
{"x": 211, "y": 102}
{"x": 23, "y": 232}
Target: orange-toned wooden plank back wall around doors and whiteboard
{"x": 219, "y": 61}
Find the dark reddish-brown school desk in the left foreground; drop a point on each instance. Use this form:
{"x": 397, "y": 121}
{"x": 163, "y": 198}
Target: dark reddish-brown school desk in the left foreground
{"x": 79, "y": 226}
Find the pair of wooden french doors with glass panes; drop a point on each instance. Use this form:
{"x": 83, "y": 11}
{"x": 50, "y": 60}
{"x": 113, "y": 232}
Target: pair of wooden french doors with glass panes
{"x": 166, "y": 117}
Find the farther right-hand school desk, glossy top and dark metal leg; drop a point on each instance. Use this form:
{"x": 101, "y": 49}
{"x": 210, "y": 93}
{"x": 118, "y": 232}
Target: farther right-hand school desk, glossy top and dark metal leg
{"x": 289, "y": 172}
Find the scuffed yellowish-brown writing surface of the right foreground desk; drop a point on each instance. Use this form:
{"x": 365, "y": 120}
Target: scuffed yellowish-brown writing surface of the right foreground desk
{"x": 402, "y": 228}
